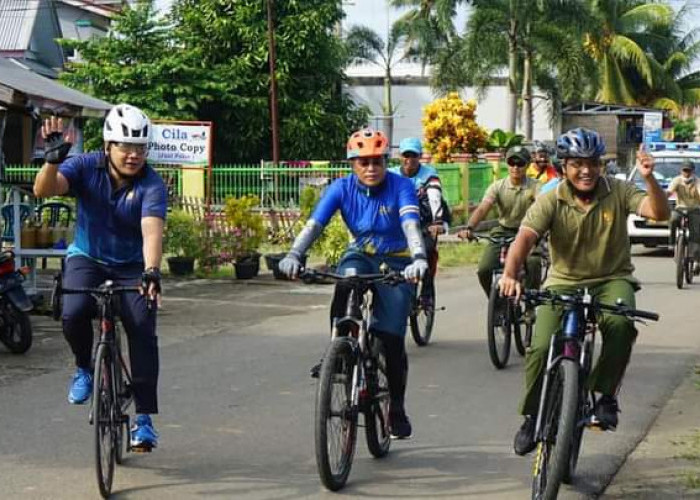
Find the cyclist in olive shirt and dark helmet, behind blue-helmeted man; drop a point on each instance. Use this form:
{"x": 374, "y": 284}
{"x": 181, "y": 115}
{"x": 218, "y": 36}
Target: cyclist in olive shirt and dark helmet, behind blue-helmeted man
{"x": 512, "y": 197}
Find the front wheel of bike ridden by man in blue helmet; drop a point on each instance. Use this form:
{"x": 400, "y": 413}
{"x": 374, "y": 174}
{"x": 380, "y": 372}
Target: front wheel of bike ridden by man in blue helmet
{"x": 558, "y": 427}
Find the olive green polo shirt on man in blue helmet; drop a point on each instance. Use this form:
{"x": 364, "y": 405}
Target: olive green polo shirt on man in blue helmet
{"x": 587, "y": 247}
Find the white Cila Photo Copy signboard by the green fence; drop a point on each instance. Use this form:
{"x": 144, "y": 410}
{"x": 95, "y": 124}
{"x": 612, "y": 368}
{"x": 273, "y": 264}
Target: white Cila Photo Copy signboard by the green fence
{"x": 176, "y": 144}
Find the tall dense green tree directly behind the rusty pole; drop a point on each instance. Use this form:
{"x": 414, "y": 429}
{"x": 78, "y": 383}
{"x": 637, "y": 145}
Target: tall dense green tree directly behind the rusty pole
{"x": 230, "y": 39}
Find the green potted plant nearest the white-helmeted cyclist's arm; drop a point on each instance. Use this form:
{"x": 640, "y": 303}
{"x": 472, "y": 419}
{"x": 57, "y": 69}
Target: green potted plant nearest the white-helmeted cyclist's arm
{"x": 181, "y": 241}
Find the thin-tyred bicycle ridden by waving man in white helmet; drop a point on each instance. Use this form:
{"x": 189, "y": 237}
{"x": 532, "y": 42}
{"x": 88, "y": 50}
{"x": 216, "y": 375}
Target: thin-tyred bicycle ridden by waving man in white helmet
{"x": 111, "y": 395}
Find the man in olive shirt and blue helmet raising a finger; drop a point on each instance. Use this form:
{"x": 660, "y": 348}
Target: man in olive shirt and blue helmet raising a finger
{"x": 586, "y": 219}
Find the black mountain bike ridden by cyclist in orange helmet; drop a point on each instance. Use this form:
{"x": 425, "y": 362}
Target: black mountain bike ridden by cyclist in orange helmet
{"x": 353, "y": 380}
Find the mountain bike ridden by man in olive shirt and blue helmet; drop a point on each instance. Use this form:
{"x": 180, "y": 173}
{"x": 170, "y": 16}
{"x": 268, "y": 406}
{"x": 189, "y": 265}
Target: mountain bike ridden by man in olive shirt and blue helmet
{"x": 566, "y": 405}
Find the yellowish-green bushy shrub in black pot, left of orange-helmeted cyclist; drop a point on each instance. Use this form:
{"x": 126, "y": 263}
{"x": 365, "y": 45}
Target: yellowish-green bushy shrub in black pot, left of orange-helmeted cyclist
{"x": 246, "y": 234}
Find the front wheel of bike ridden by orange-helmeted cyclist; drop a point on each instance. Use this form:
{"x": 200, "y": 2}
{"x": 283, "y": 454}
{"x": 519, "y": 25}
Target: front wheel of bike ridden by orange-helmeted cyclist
{"x": 336, "y": 418}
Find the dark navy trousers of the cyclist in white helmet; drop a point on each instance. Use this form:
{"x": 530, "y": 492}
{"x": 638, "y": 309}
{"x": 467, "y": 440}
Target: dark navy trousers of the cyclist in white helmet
{"x": 139, "y": 323}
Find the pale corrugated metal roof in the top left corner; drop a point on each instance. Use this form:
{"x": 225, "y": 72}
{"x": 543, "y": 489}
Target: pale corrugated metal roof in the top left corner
{"x": 17, "y": 18}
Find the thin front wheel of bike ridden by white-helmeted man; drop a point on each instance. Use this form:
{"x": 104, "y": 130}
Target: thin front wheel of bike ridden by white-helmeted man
{"x": 103, "y": 408}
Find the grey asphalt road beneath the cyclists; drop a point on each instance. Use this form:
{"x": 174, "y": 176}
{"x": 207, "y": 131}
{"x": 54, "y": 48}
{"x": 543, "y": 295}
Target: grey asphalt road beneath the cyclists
{"x": 237, "y": 403}
